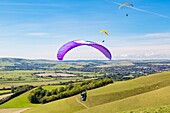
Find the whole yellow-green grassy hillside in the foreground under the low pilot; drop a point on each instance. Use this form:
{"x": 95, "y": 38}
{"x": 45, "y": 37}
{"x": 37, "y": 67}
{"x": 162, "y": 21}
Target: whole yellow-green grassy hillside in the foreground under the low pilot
{"x": 149, "y": 91}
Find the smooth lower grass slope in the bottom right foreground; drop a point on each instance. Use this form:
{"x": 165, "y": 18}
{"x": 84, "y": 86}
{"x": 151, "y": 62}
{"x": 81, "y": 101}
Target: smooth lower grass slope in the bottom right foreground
{"x": 151, "y": 99}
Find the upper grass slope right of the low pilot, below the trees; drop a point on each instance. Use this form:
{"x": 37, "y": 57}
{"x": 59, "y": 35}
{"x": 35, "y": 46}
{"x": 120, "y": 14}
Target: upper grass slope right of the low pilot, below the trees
{"x": 126, "y": 89}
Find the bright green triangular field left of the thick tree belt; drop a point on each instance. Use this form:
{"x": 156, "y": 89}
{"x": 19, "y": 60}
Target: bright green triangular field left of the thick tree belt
{"x": 19, "y": 102}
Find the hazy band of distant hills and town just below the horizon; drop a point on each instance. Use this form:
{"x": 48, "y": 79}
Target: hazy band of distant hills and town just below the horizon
{"x": 118, "y": 70}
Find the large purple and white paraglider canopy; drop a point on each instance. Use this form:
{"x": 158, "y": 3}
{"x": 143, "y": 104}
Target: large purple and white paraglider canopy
{"x": 72, "y": 44}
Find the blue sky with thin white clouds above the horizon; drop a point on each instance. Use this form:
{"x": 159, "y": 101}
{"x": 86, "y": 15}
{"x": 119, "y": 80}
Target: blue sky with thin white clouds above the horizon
{"x": 37, "y": 28}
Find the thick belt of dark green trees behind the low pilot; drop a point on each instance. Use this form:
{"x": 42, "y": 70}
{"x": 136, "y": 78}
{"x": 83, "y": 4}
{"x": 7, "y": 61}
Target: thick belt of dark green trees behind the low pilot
{"x": 41, "y": 95}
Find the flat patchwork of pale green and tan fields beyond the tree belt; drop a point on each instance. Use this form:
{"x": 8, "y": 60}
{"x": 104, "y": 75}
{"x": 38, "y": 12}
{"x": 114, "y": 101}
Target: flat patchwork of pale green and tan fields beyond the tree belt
{"x": 23, "y": 77}
